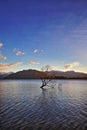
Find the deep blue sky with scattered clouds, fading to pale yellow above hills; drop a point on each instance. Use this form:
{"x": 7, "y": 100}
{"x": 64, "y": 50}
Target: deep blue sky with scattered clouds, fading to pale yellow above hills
{"x": 36, "y": 33}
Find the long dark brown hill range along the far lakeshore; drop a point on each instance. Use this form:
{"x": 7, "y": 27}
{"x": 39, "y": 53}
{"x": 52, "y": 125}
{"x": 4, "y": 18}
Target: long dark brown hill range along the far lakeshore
{"x": 35, "y": 74}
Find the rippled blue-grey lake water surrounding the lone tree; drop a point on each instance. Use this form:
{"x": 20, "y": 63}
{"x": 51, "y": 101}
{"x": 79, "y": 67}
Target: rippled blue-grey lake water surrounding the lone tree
{"x": 25, "y": 106}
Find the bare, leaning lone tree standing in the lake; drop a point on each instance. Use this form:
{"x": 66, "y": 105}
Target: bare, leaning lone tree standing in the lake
{"x": 46, "y": 78}
